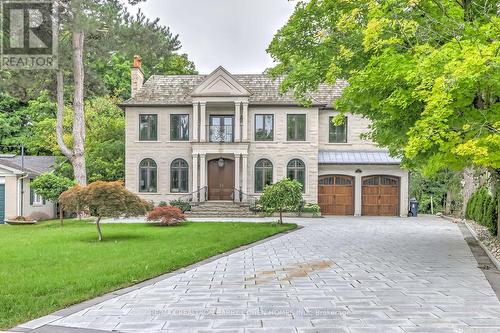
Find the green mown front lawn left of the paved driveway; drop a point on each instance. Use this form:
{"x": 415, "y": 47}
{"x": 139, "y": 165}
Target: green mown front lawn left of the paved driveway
{"x": 45, "y": 267}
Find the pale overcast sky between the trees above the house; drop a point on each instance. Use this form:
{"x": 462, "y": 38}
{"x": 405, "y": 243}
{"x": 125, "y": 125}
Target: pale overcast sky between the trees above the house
{"x": 231, "y": 33}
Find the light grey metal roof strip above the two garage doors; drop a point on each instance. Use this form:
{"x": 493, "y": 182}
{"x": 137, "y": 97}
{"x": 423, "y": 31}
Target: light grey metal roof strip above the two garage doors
{"x": 356, "y": 157}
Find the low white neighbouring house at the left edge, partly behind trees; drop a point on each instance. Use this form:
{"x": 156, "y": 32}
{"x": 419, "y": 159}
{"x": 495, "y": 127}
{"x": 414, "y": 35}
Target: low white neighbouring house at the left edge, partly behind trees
{"x": 16, "y": 196}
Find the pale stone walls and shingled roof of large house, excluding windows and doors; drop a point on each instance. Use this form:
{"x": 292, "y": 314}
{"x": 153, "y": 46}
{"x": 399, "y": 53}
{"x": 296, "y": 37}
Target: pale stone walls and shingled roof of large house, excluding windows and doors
{"x": 221, "y": 93}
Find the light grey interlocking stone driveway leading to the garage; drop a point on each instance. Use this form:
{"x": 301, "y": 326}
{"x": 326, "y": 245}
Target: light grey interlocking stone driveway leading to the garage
{"x": 334, "y": 275}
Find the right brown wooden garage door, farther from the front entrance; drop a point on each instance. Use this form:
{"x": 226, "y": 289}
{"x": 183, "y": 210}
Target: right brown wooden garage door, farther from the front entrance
{"x": 380, "y": 196}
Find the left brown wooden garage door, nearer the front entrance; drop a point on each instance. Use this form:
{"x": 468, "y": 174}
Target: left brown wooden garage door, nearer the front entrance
{"x": 336, "y": 195}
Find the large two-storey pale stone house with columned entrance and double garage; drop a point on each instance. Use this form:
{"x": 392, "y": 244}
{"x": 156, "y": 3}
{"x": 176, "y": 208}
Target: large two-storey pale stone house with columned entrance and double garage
{"x": 212, "y": 137}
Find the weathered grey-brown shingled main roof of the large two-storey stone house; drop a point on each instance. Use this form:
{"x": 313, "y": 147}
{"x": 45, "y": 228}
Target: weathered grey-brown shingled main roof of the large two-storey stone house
{"x": 177, "y": 89}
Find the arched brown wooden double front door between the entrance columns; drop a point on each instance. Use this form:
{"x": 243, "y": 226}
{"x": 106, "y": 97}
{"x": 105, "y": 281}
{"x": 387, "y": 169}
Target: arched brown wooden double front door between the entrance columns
{"x": 220, "y": 179}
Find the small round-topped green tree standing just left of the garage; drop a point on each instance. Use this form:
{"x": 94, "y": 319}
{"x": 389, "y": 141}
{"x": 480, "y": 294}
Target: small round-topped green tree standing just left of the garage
{"x": 281, "y": 195}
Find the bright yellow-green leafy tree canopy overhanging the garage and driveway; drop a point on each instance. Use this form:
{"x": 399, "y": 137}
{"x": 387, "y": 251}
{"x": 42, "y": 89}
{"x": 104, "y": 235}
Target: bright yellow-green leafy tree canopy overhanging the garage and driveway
{"x": 424, "y": 72}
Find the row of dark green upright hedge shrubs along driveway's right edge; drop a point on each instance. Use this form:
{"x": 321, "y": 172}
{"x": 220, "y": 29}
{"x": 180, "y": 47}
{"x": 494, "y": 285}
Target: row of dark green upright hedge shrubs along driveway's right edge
{"x": 482, "y": 208}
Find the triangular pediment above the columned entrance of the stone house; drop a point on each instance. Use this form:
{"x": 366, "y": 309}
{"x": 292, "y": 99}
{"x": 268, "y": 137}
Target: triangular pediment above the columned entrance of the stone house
{"x": 220, "y": 83}
